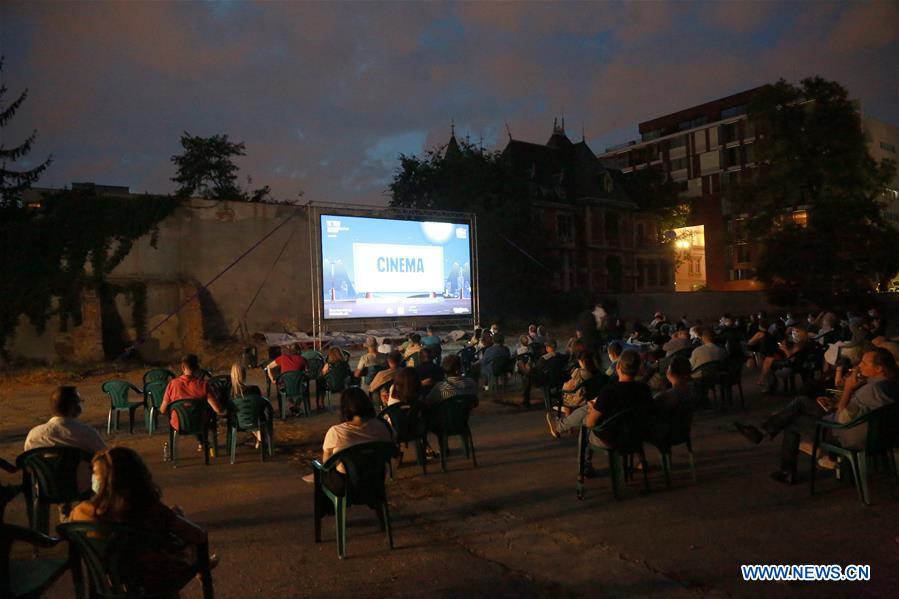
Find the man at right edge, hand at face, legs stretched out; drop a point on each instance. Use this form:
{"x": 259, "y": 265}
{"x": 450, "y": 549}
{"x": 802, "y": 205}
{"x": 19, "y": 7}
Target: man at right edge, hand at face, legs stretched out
{"x": 873, "y": 384}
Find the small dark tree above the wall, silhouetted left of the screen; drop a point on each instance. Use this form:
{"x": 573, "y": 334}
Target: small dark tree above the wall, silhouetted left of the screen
{"x": 206, "y": 169}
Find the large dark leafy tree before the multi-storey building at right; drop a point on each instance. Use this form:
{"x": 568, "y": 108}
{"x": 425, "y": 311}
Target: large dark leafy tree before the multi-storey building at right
{"x": 813, "y": 156}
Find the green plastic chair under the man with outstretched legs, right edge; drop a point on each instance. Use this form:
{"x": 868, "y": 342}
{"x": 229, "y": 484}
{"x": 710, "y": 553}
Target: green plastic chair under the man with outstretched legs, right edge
{"x": 882, "y": 439}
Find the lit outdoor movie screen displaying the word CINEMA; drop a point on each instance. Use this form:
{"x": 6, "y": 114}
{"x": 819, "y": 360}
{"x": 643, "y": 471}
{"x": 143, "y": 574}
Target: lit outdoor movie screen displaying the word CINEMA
{"x": 383, "y": 268}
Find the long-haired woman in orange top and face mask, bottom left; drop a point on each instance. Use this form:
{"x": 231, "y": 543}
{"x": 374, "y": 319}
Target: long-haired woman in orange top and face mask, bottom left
{"x": 124, "y": 493}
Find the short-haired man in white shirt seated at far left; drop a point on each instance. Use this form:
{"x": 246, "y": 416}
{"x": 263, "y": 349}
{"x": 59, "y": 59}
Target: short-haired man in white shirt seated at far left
{"x": 64, "y": 429}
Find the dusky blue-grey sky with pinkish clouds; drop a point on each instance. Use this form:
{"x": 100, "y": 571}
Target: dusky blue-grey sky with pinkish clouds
{"x": 325, "y": 95}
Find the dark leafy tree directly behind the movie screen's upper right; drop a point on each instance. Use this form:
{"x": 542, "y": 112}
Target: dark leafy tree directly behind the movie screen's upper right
{"x": 514, "y": 272}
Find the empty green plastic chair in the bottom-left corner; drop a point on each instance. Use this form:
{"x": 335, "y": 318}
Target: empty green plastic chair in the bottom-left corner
{"x": 27, "y": 579}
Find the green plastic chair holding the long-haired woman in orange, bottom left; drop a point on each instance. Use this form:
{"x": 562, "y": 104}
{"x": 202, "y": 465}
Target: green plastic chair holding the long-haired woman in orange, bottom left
{"x": 111, "y": 553}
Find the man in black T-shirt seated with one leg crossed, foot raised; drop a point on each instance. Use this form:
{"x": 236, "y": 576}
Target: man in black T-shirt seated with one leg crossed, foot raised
{"x": 616, "y": 397}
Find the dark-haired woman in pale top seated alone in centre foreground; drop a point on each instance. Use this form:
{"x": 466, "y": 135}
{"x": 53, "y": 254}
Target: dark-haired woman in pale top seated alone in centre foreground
{"x": 357, "y": 425}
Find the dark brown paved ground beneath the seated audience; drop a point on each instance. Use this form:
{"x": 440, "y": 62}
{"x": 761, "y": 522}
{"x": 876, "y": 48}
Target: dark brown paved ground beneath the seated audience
{"x": 512, "y": 526}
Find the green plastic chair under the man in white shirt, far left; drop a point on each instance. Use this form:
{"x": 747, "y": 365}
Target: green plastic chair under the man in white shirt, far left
{"x": 50, "y": 476}
